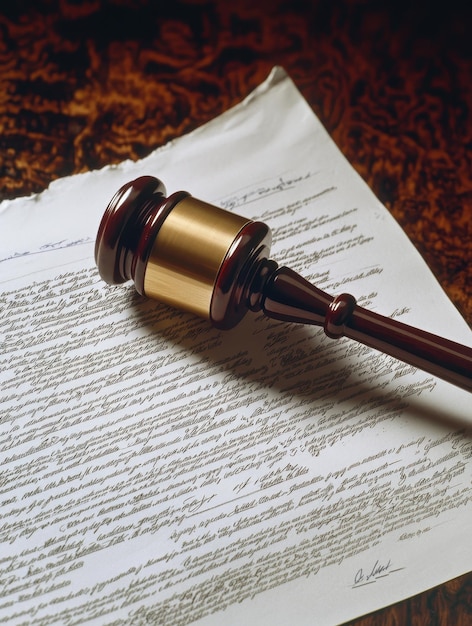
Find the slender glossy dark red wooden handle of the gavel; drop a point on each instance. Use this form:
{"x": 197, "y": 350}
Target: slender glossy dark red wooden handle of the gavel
{"x": 289, "y": 297}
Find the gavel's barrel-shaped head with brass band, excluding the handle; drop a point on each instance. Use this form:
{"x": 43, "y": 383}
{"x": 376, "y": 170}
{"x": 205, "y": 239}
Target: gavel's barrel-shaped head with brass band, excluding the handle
{"x": 184, "y": 252}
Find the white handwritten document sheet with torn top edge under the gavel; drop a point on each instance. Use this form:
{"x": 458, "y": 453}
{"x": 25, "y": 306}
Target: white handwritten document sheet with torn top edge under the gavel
{"x": 155, "y": 470}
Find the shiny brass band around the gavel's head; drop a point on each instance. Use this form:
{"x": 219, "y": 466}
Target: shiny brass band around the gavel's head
{"x": 188, "y": 252}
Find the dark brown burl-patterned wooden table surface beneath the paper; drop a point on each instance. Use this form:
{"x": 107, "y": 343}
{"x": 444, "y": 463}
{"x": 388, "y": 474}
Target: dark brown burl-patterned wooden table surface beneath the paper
{"x": 86, "y": 84}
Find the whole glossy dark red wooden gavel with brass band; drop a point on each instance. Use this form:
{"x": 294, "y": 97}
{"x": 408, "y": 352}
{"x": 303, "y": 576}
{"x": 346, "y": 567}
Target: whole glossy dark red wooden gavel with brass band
{"x": 211, "y": 262}
